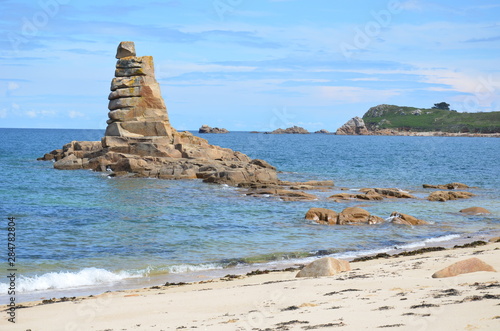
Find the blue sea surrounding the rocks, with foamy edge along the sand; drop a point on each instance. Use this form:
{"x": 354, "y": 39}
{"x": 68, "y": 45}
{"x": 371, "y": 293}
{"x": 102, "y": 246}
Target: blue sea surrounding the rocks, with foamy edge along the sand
{"x": 83, "y": 233}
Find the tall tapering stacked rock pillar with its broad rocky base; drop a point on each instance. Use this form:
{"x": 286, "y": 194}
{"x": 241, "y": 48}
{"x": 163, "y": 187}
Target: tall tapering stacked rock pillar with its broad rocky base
{"x": 140, "y": 142}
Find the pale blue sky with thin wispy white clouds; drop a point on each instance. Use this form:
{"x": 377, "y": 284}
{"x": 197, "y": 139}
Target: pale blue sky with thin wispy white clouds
{"x": 248, "y": 65}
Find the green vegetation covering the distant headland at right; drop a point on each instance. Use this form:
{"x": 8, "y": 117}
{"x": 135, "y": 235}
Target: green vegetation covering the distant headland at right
{"x": 437, "y": 118}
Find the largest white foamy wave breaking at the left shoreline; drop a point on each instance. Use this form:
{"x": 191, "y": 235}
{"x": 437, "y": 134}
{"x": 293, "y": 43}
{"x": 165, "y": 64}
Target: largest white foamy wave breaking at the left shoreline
{"x": 64, "y": 280}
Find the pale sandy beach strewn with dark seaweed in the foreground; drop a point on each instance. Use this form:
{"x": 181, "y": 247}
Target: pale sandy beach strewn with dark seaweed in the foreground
{"x": 396, "y": 293}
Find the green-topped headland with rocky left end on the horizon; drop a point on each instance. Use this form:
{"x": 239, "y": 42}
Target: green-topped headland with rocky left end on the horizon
{"x": 400, "y": 120}
